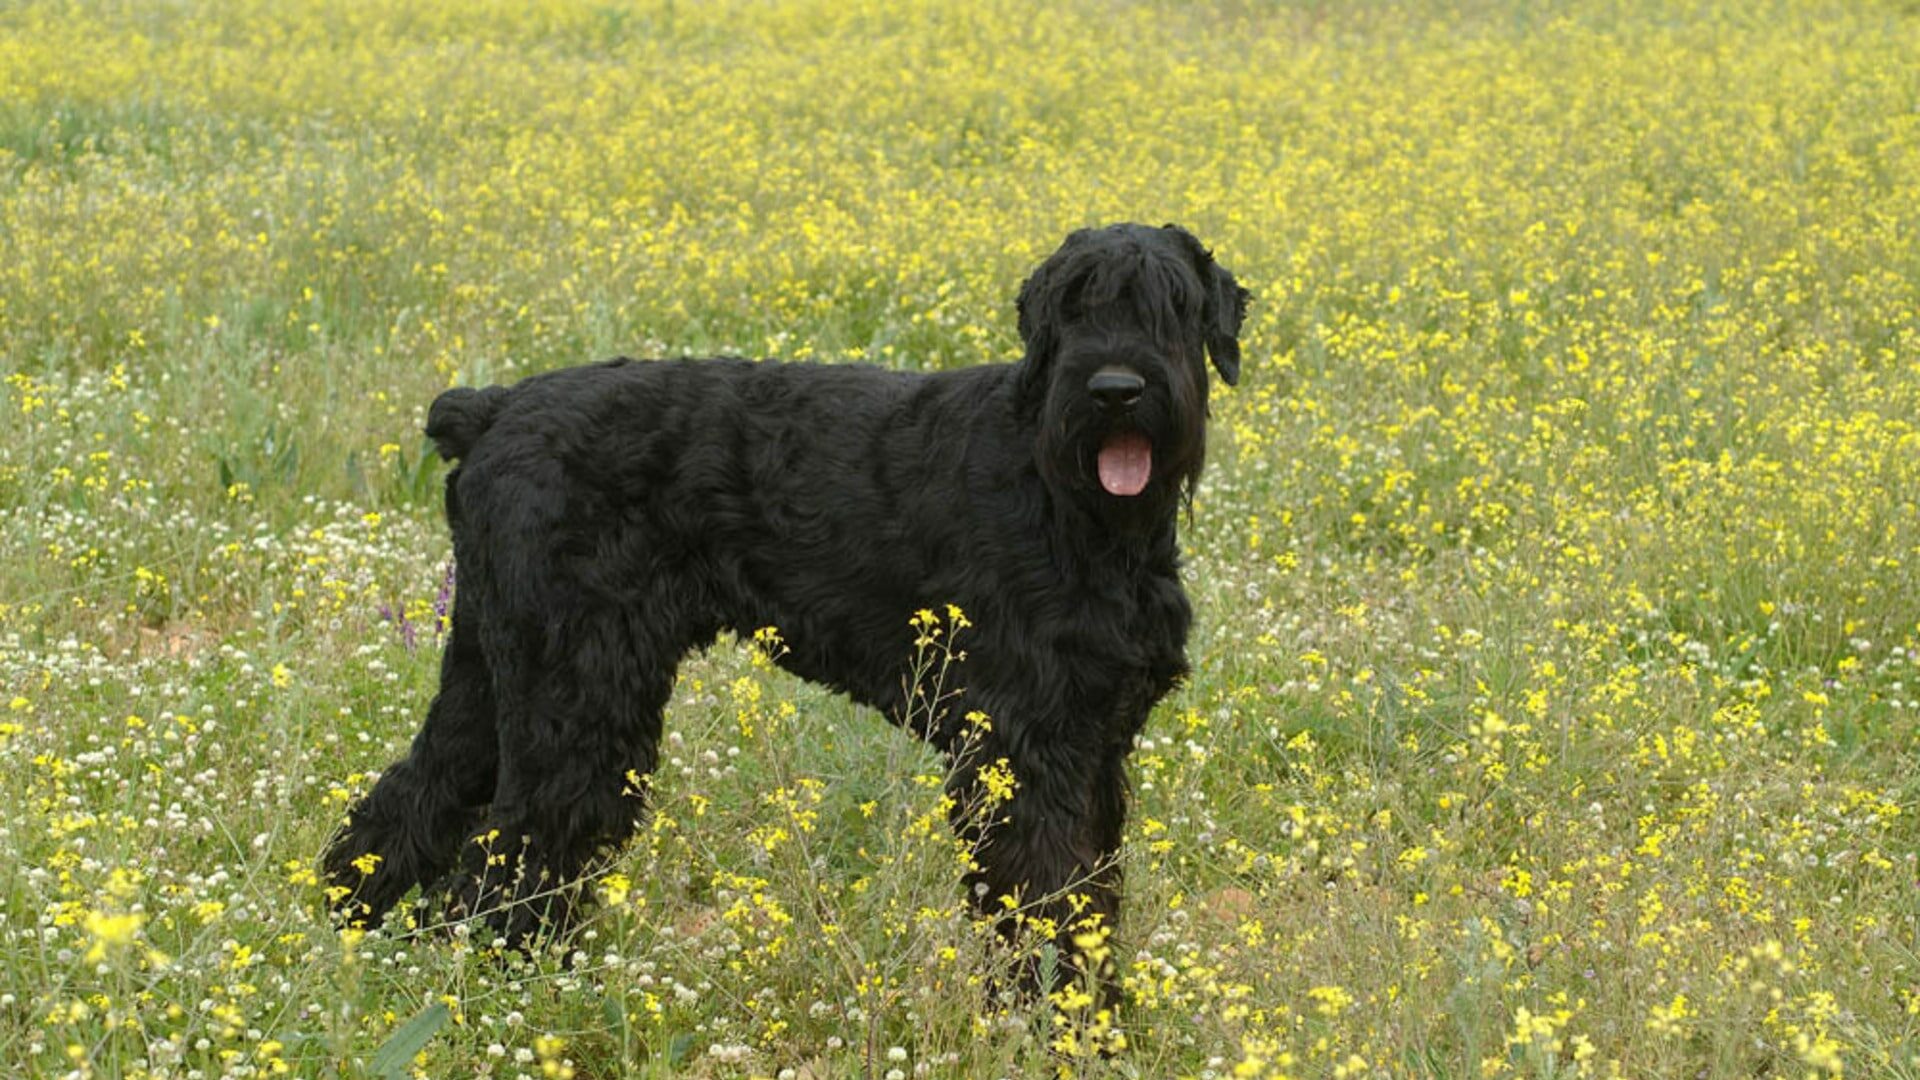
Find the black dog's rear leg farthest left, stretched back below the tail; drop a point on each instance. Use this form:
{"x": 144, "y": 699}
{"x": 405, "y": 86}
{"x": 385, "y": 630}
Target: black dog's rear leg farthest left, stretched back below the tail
{"x": 408, "y": 831}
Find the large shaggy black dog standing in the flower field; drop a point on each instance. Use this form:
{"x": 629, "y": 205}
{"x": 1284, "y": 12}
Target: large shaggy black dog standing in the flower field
{"x": 608, "y": 520}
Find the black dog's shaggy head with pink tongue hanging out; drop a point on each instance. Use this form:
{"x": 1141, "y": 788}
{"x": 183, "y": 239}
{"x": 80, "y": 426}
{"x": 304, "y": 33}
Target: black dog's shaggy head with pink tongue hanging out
{"x": 1118, "y": 326}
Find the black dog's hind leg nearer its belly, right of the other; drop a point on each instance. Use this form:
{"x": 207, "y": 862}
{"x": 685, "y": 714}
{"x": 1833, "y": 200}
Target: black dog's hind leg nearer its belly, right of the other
{"x": 579, "y": 741}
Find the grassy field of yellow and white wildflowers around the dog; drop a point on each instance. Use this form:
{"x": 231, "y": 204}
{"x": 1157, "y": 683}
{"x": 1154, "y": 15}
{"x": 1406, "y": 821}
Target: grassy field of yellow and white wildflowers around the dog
{"x": 1556, "y": 700}
